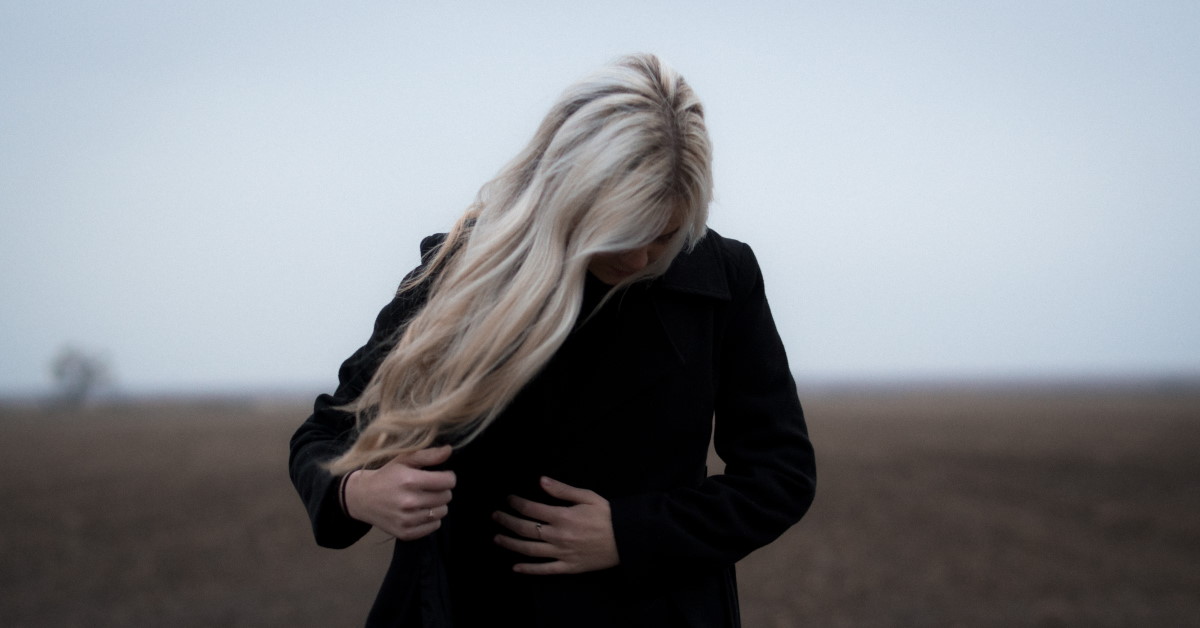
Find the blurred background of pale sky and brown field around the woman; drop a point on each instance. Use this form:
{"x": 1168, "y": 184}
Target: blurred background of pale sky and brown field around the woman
{"x": 979, "y": 224}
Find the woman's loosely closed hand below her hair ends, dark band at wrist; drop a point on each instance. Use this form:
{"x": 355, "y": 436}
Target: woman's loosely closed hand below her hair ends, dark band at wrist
{"x": 401, "y": 498}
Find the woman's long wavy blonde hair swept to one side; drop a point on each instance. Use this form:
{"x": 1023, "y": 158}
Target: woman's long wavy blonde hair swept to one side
{"x": 614, "y": 160}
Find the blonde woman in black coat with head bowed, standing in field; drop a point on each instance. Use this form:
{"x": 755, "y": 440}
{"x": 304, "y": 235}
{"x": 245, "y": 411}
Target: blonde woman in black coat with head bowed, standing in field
{"x": 532, "y": 416}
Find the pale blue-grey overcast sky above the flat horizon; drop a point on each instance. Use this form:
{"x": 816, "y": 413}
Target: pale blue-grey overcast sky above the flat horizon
{"x": 220, "y": 196}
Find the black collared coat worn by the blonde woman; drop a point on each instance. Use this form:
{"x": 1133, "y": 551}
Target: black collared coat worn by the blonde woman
{"x": 626, "y": 409}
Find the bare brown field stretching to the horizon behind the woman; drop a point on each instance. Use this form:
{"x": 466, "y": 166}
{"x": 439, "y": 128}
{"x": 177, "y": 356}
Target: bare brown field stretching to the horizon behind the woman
{"x": 937, "y": 507}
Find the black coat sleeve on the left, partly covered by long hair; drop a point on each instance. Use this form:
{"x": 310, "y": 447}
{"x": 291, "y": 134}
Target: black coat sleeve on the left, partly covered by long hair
{"x": 329, "y": 432}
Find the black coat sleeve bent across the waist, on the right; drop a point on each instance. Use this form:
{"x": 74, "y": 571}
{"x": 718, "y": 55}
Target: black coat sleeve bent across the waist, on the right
{"x": 770, "y": 479}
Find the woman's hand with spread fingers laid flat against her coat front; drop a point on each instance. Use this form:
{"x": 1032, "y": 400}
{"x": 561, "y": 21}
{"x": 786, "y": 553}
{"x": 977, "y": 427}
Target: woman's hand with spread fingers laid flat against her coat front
{"x": 578, "y": 537}
